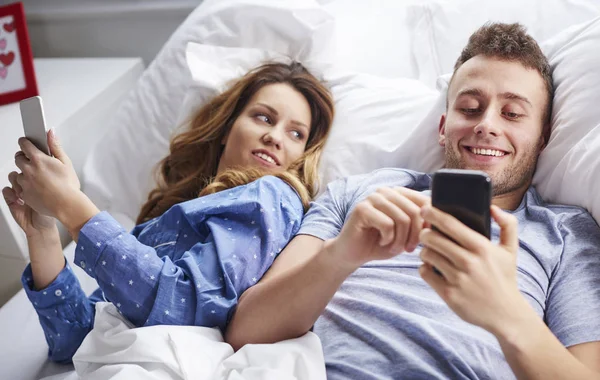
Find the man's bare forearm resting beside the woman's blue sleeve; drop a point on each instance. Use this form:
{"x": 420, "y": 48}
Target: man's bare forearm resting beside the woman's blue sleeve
{"x": 286, "y": 306}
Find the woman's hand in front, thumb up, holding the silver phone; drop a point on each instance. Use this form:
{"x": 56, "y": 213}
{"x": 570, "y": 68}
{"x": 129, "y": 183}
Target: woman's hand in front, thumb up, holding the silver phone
{"x": 47, "y": 183}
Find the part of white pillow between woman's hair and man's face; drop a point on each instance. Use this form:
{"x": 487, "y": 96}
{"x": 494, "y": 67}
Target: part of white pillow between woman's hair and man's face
{"x": 374, "y": 116}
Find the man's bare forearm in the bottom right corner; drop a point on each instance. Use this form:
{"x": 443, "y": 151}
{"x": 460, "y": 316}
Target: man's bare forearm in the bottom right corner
{"x": 533, "y": 352}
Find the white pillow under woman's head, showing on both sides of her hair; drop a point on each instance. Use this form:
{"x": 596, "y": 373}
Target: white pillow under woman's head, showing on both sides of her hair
{"x": 373, "y": 115}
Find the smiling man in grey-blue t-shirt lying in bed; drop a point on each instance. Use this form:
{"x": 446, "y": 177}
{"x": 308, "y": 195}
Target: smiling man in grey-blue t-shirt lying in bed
{"x": 526, "y": 304}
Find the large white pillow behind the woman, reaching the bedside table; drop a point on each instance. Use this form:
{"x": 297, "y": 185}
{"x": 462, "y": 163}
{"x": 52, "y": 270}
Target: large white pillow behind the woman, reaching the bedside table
{"x": 118, "y": 172}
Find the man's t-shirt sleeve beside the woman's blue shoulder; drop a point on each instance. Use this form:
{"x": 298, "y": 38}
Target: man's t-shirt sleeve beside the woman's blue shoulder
{"x": 327, "y": 213}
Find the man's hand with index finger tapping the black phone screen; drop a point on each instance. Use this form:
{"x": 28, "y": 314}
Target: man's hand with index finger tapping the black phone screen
{"x": 386, "y": 223}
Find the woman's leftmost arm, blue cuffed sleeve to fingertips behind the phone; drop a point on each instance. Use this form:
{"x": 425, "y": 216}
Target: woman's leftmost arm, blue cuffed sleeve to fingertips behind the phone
{"x": 66, "y": 314}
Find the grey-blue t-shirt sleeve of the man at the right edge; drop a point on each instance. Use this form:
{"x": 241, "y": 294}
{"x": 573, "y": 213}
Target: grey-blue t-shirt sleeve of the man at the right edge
{"x": 573, "y": 301}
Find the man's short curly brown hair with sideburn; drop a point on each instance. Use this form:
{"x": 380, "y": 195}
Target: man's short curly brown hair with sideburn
{"x": 510, "y": 42}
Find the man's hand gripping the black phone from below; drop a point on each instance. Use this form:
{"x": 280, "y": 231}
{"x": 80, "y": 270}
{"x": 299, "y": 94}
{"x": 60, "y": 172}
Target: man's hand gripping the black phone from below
{"x": 479, "y": 280}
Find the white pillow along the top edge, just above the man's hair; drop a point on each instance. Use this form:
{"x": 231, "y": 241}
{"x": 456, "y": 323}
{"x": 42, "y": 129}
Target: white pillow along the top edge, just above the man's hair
{"x": 440, "y": 29}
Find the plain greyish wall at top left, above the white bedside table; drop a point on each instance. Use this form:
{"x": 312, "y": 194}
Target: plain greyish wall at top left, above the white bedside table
{"x": 103, "y": 28}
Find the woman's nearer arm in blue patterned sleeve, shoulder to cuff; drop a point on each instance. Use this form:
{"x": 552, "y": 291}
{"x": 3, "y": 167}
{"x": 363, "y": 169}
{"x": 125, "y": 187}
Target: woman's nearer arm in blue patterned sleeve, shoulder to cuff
{"x": 213, "y": 249}
